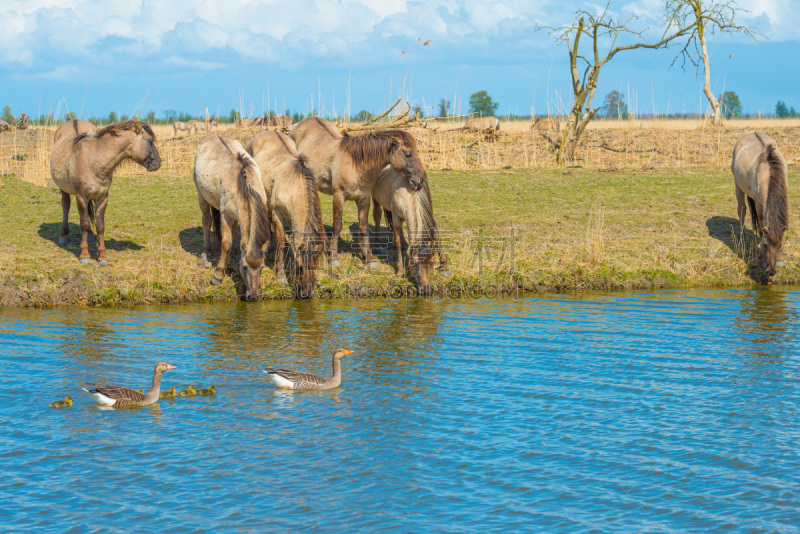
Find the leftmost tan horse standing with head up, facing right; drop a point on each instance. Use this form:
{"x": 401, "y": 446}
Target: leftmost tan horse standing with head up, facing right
{"x": 82, "y": 164}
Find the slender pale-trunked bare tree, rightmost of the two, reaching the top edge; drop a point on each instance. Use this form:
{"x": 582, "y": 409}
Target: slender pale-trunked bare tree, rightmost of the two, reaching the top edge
{"x": 713, "y": 16}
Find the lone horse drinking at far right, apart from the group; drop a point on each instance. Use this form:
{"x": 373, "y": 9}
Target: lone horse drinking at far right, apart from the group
{"x": 760, "y": 173}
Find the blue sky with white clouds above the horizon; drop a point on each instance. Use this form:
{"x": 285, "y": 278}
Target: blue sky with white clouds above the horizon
{"x": 127, "y": 56}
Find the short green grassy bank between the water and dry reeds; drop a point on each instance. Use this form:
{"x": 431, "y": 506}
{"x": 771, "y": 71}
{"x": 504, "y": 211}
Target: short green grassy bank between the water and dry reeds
{"x": 570, "y": 229}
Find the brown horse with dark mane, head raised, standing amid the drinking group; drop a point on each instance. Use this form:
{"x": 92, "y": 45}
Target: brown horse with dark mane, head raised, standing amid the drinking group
{"x": 346, "y": 167}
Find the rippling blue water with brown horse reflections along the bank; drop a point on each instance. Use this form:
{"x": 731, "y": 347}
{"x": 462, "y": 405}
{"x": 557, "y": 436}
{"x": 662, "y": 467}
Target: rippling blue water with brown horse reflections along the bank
{"x": 658, "y": 412}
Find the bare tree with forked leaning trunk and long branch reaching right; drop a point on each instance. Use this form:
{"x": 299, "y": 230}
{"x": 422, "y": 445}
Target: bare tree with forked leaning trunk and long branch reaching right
{"x": 600, "y": 29}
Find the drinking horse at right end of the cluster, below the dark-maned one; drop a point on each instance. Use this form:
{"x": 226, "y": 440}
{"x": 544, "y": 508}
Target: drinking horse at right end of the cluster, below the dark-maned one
{"x": 415, "y": 207}
